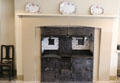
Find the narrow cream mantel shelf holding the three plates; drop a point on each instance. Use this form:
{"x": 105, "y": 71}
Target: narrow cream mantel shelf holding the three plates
{"x": 73, "y": 15}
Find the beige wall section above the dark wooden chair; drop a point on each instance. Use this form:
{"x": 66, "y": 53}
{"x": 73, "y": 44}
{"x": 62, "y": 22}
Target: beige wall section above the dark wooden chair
{"x": 7, "y": 22}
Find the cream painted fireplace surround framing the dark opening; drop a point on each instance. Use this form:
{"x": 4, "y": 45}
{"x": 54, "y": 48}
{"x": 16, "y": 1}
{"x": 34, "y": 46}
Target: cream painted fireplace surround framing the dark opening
{"x": 28, "y": 43}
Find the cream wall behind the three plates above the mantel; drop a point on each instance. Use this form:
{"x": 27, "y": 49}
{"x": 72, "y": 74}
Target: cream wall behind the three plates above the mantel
{"x": 52, "y": 6}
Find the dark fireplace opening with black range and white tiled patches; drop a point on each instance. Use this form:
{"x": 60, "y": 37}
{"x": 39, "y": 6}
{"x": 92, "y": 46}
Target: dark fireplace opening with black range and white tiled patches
{"x": 67, "y": 54}
